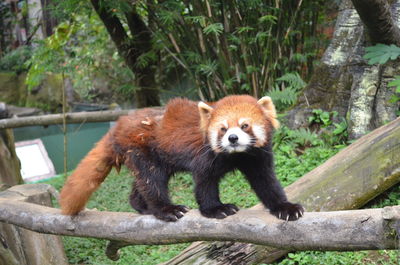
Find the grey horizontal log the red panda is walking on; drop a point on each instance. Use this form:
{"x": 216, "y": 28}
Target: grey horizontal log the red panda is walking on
{"x": 340, "y": 230}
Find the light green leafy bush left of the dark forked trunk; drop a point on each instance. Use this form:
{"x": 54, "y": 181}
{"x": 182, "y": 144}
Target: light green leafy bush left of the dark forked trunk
{"x": 82, "y": 50}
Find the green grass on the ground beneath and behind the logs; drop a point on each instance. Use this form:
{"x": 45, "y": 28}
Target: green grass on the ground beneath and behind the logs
{"x": 114, "y": 192}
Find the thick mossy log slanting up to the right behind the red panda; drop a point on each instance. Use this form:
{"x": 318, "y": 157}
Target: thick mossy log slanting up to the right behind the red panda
{"x": 348, "y": 180}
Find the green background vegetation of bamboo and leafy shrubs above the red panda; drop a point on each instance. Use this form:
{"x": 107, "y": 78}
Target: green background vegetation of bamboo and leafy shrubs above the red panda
{"x": 205, "y": 49}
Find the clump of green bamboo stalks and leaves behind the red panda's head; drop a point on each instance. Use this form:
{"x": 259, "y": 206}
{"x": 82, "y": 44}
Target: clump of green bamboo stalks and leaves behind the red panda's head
{"x": 235, "y": 47}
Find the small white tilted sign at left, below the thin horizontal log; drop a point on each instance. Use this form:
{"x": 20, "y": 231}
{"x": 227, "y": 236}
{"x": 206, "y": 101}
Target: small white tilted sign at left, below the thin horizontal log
{"x": 35, "y": 163}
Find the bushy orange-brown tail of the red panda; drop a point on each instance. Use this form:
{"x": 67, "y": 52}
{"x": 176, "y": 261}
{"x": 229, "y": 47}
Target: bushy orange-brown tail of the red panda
{"x": 87, "y": 177}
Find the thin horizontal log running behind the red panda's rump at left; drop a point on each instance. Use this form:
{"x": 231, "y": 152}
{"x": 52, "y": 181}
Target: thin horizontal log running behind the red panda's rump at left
{"x": 79, "y": 117}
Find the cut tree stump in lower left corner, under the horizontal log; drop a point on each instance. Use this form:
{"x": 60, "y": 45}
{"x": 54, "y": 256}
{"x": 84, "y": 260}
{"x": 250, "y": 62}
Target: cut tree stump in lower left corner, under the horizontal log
{"x": 24, "y": 247}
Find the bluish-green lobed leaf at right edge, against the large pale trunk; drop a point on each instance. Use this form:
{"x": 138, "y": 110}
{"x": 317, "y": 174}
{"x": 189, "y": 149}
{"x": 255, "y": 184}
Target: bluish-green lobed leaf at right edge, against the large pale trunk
{"x": 381, "y": 53}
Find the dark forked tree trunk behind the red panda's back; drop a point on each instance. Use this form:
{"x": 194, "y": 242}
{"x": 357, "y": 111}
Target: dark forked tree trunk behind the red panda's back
{"x": 130, "y": 49}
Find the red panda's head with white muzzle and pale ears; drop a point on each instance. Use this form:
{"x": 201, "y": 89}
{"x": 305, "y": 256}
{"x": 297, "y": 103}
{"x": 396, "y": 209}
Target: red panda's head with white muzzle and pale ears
{"x": 236, "y": 123}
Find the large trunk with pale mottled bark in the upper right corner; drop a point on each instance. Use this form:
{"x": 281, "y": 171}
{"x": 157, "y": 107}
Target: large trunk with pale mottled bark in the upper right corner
{"x": 344, "y": 82}
